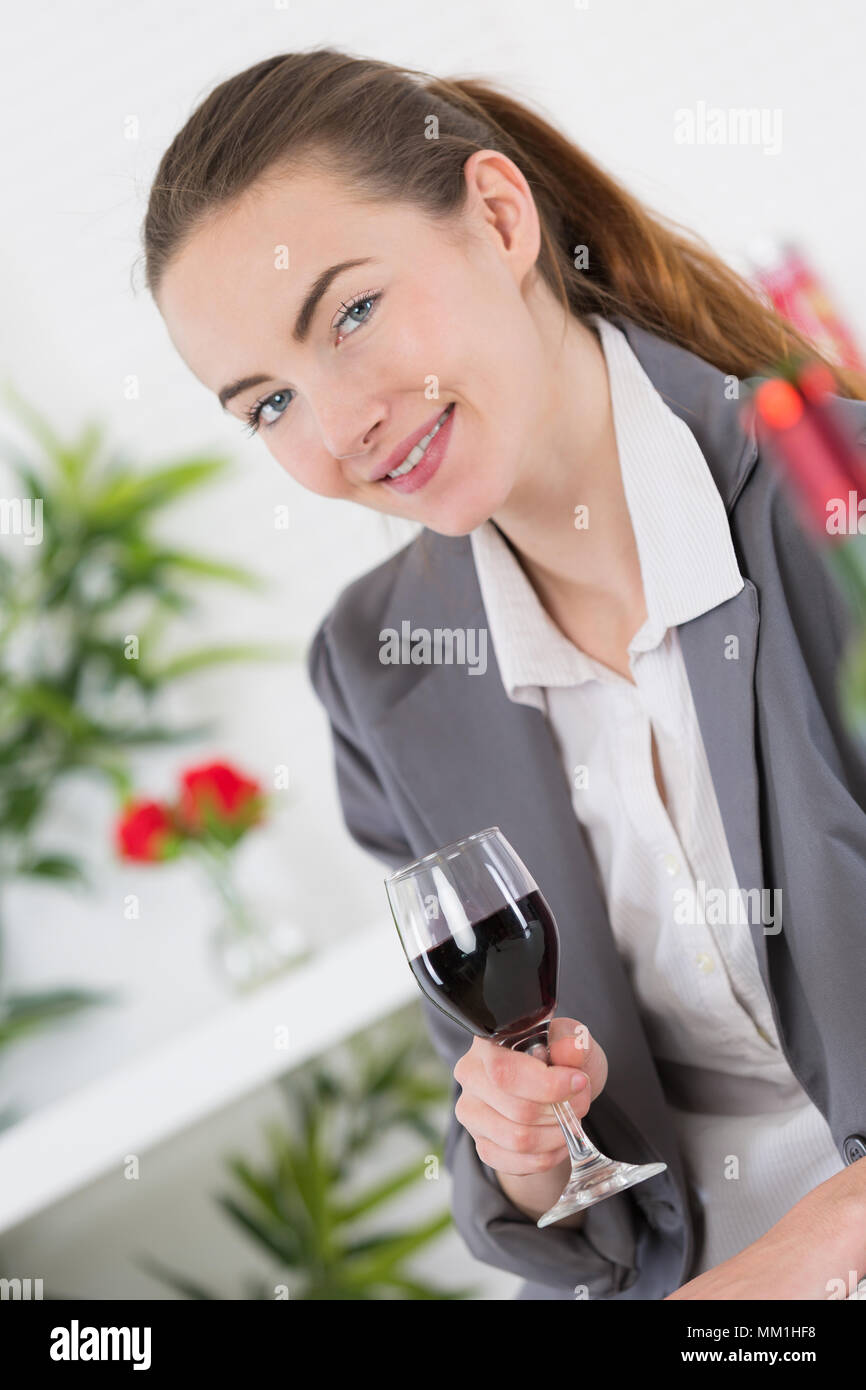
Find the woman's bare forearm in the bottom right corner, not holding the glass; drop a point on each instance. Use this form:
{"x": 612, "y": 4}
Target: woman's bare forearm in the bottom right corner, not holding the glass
{"x": 818, "y": 1250}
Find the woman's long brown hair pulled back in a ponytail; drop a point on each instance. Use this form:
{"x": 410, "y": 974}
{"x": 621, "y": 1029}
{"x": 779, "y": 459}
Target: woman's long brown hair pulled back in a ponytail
{"x": 372, "y": 123}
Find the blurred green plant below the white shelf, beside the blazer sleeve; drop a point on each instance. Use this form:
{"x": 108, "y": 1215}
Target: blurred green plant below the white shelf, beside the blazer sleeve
{"x": 304, "y": 1206}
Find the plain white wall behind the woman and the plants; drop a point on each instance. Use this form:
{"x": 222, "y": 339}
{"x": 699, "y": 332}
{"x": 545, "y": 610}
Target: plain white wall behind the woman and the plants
{"x": 73, "y": 329}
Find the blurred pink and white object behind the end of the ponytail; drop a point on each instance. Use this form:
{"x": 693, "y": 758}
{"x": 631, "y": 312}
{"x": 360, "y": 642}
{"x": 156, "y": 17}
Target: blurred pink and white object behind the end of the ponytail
{"x": 797, "y": 293}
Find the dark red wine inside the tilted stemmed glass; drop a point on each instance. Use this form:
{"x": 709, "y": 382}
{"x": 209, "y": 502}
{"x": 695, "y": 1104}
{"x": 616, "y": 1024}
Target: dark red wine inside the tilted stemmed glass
{"x": 498, "y": 978}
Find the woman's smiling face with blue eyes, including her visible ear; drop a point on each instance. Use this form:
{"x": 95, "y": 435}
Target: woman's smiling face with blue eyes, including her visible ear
{"x": 344, "y": 372}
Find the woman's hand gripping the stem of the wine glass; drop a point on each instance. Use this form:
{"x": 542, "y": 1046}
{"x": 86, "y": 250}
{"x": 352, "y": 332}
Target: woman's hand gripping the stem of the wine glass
{"x": 505, "y": 1104}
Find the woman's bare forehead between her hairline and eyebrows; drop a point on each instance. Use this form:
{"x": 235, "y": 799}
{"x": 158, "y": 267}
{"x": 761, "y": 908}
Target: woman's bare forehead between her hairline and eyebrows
{"x": 245, "y": 270}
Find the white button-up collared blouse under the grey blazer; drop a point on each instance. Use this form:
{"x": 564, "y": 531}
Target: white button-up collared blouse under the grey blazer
{"x": 753, "y": 1140}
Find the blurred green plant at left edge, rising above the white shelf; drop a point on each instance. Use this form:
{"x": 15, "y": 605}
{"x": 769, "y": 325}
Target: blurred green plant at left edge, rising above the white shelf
{"x": 84, "y": 612}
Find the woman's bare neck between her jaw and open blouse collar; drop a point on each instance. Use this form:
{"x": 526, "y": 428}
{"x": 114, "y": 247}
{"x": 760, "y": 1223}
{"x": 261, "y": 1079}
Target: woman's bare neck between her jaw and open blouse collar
{"x": 576, "y": 466}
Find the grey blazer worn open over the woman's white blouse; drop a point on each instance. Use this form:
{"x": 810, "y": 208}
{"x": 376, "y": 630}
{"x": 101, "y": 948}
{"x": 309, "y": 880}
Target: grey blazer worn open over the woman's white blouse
{"x": 429, "y": 754}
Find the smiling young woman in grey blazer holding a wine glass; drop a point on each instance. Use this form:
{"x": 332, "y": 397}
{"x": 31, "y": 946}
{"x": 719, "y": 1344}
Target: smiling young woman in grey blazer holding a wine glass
{"x": 468, "y": 325}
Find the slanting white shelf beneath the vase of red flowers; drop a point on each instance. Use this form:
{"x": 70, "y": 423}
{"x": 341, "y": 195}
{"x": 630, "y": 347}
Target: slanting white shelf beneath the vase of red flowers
{"x": 59, "y": 1149}
